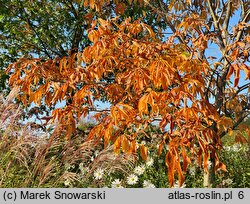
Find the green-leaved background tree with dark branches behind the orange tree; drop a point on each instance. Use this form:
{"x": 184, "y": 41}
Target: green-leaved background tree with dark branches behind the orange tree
{"x": 49, "y": 29}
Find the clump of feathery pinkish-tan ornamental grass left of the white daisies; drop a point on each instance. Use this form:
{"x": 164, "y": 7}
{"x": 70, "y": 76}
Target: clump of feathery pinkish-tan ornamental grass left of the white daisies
{"x": 41, "y": 161}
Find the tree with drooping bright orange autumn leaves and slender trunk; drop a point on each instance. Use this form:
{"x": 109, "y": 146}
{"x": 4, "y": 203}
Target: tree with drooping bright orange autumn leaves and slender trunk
{"x": 148, "y": 74}
